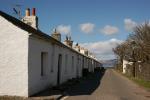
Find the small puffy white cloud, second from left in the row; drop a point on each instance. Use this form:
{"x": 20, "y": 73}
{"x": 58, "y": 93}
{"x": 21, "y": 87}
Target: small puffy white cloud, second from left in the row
{"x": 87, "y": 27}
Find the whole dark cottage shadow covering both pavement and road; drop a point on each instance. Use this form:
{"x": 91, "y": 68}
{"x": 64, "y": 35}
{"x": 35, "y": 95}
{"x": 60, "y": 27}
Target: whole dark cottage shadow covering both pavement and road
{"x": 84, "y": 86}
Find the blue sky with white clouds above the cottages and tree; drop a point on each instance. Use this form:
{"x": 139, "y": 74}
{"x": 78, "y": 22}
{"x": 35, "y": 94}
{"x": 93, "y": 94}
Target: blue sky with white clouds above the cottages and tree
{"x": 98, "y": 25}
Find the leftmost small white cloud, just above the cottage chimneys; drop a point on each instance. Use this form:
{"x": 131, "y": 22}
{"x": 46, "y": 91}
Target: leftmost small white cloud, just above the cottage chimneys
{"x": 64, "y": 29}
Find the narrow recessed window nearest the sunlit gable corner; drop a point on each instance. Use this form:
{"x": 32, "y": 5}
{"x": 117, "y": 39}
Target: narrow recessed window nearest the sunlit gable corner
{"x": 44, "y": 62}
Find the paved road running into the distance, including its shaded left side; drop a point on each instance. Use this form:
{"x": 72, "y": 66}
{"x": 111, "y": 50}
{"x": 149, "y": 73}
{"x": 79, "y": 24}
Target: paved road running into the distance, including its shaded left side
{"x": 112, "y": 86}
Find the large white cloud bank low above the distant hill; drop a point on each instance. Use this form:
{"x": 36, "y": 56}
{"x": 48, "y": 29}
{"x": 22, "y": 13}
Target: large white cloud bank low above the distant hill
{"x": 103, "y": 49}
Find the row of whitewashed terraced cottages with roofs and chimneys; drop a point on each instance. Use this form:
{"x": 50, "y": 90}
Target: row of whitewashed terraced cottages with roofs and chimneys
{"x": 31, "y": 61}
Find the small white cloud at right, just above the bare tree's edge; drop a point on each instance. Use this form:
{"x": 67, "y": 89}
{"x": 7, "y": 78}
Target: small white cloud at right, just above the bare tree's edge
{"x": 129, "y": 24}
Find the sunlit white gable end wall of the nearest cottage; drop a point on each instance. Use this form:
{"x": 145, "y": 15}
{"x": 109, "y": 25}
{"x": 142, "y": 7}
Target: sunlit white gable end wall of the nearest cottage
{"x": 13, "y": 59}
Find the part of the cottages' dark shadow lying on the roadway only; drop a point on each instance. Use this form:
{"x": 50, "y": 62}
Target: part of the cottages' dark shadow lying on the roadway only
{"x": 88, "y": 85}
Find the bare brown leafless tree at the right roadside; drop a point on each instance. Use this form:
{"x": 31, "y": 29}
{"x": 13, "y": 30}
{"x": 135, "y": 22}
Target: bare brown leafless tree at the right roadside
{"x": 137, "y": 46}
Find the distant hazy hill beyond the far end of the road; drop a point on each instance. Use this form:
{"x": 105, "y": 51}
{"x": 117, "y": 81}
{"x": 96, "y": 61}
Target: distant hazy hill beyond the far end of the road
{"x": 109, "y": 63}
